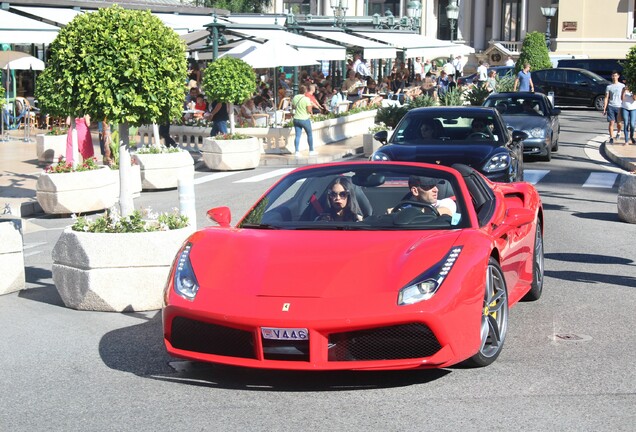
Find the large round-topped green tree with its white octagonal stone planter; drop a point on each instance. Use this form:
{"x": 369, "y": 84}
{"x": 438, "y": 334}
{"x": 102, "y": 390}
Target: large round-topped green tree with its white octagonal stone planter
{"x": 128, "y": 67}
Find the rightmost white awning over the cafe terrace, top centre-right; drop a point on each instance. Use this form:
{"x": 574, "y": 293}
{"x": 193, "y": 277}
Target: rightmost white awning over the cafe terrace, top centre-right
{"x": 415, "y": 45}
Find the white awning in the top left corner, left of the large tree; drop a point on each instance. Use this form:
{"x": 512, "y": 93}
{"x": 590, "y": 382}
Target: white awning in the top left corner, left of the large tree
{"x": 16, "y": 29}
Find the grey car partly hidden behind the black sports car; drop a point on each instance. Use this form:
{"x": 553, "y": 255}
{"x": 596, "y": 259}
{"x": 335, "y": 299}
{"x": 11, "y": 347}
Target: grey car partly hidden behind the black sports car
{"x": 533, "y": 114}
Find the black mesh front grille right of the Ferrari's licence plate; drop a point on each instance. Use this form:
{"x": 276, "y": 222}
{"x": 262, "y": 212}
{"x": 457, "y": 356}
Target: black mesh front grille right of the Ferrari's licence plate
{"x": 404, "y": 341}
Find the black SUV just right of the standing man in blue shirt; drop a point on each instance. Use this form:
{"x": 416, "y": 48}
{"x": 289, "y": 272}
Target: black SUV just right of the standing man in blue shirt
{"x": 571, "y": 86}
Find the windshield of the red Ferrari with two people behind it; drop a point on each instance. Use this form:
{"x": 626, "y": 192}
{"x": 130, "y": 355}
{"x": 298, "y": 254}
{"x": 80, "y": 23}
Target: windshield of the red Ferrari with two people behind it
{"x": 364, "y": 197}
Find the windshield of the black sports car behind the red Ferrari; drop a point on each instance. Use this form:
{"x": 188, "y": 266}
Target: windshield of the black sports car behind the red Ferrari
{"x": 448, "y": 127}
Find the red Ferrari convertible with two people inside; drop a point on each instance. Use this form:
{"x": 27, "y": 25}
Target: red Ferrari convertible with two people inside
{"x": 362, "y": 265}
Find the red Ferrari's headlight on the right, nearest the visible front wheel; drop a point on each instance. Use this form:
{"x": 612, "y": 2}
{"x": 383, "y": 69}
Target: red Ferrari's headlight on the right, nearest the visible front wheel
{"x": 426, "y": 285}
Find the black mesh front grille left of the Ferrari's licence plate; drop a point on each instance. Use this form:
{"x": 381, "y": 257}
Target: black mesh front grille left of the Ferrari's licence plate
{"x": 197, "y": 336}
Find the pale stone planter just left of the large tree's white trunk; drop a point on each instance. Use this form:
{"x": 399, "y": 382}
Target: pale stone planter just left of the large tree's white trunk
{"x": 76, "y": 192}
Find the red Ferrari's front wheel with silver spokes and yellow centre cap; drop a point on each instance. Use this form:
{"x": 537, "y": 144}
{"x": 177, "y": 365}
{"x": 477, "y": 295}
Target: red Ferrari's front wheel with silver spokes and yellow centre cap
{"x": 494, "y": 319}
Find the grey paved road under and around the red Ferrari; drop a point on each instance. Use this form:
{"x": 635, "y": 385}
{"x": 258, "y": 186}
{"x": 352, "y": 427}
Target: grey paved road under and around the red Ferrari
{"x": 567, "y": 363}
